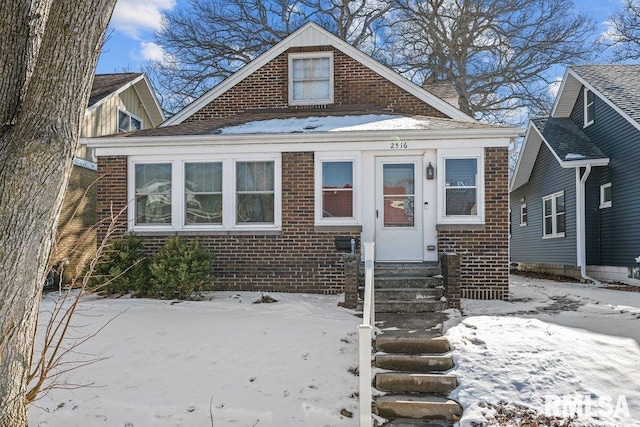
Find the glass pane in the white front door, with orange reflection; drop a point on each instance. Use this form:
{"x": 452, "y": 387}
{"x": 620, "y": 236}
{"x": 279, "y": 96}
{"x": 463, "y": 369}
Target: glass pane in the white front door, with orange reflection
{"x": 398, "y": 195}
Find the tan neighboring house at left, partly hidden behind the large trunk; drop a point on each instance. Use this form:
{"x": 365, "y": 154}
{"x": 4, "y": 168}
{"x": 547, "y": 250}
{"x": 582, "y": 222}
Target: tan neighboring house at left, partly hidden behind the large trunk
{"x": 118, "y": 103}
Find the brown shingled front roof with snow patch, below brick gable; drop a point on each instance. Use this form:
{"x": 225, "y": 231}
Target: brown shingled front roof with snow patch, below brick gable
{"x": 216, "y": 126}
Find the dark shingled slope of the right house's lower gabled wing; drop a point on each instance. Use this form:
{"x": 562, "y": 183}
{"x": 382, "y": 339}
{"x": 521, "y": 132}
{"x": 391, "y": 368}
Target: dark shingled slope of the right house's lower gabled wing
{"x": 567, "y": 140}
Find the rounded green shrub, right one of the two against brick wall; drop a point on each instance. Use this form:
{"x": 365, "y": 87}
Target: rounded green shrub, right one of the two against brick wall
{"x": 180, "y": 268}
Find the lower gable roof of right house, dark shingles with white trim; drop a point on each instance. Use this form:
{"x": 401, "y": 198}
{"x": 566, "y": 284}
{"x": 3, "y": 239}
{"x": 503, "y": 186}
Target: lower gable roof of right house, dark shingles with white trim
{"x": 570, "y": 146}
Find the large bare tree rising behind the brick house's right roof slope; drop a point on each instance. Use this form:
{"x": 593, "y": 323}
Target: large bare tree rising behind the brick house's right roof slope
{"x": 497, "y": 53}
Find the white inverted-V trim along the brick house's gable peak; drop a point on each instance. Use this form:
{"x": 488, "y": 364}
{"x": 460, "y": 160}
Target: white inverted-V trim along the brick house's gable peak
{"x": 312, "y": 34}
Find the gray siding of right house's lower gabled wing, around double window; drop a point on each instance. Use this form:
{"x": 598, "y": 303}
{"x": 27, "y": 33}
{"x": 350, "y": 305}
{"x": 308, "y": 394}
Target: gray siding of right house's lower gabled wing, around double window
{"x": 527, "y": 244}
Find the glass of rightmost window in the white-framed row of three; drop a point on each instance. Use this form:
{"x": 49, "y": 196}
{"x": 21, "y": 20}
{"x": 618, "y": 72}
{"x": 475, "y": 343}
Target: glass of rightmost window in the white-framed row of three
{"x": 255, "y": 192}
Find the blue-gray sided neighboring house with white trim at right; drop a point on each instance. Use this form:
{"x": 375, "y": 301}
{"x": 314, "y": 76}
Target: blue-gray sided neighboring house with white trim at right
{"x": 575, "y": 206}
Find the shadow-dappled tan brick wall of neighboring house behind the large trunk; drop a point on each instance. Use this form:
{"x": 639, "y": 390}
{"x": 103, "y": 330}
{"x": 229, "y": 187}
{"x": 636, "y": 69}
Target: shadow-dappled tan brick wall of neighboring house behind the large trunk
{"x": 76, "y": 235}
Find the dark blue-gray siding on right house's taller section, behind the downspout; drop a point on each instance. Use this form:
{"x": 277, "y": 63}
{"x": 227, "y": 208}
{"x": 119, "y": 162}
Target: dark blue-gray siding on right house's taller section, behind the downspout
{"x": 615, "y": 230}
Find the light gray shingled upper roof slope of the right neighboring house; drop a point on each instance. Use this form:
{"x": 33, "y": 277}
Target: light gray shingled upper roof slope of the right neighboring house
{"x": 618, "y": 83}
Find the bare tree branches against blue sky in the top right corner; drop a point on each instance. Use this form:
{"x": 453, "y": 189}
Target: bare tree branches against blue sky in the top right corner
{"x": 624, "y": 32}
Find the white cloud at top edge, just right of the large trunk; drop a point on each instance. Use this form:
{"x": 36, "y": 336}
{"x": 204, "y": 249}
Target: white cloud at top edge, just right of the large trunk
{"x": 134, "y": 16}
